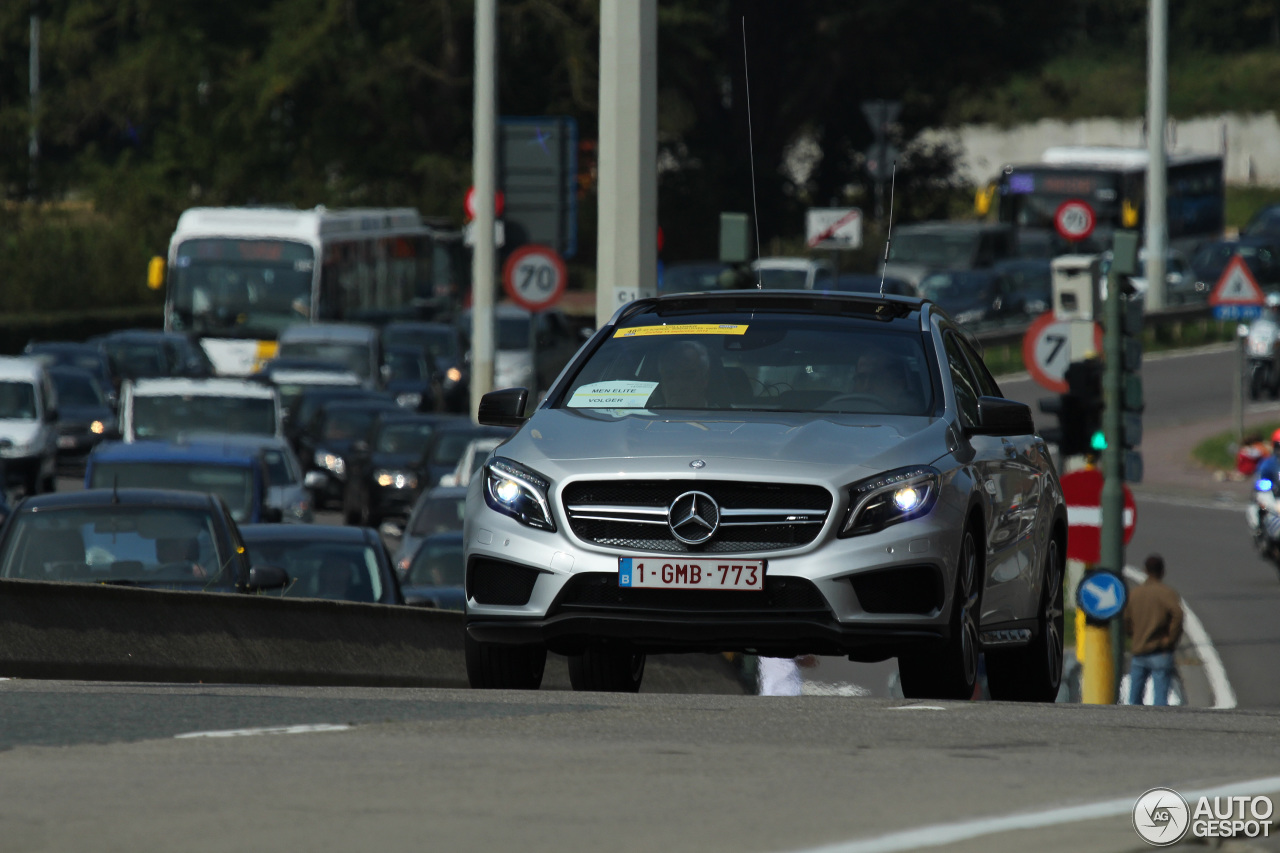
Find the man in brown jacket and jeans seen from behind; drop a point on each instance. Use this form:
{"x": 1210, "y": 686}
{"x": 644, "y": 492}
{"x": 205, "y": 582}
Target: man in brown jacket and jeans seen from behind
{"x": 1154, "y": 621}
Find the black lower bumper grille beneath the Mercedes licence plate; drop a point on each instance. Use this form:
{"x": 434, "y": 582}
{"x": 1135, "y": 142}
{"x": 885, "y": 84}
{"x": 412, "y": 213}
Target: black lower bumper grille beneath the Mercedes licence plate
{"x": 781, "y": 597}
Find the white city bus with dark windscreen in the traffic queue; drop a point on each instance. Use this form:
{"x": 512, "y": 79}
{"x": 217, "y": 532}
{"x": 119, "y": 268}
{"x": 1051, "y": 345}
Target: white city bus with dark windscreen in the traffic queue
{"x": 239, "y": 276}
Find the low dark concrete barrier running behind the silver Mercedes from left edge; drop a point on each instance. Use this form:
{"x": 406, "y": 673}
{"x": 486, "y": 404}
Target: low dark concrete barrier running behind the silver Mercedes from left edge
{"x": 89, "y": 632}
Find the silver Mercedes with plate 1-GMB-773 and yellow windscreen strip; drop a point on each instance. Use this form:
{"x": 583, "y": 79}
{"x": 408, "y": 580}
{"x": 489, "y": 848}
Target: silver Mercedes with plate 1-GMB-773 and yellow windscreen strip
{"x": 771, "y": 473}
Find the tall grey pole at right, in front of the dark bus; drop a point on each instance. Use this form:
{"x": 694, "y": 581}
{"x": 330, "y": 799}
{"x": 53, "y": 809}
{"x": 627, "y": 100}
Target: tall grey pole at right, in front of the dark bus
{"x": 1158, "y": 171}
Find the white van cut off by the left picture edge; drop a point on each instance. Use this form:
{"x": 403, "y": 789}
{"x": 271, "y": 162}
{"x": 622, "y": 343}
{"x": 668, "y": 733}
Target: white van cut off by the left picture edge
{"x": 29, "y": 430}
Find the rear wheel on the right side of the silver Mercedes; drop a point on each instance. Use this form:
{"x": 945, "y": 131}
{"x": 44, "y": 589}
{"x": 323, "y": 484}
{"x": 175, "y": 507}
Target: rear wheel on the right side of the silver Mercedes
{"x": 1035, "y": 673}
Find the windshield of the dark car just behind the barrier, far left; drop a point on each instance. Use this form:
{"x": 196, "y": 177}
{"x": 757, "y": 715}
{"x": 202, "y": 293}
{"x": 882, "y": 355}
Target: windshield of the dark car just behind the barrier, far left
{"x": 116, "y": 544}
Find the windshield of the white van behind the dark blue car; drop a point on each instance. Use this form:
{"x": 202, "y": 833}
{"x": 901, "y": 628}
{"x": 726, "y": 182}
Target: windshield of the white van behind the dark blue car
{"x": 176, "y": 416}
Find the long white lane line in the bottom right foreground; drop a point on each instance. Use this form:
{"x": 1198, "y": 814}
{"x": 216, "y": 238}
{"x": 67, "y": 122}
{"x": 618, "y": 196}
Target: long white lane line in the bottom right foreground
{"x": 941, "y": 834}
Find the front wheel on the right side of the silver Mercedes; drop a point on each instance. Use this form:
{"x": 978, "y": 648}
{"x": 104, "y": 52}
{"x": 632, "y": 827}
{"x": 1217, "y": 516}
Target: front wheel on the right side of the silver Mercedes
{"x": 950, "y": 670}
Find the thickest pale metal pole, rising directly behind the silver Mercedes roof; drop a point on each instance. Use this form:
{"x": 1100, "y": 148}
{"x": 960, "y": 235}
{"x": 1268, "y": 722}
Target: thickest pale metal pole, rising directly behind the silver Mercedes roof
{"x": 628, "y": 249}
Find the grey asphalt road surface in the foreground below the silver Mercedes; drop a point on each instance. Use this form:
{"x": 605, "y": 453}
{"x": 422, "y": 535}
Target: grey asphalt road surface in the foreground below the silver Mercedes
{"x": 99, "y": 768}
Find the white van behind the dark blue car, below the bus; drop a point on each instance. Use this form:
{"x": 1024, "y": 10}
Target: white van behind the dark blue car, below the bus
{"x": 172, "y": 409}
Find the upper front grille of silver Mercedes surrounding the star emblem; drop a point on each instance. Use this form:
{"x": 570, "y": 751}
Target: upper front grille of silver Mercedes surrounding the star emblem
{"x": 752, "y": 517}
